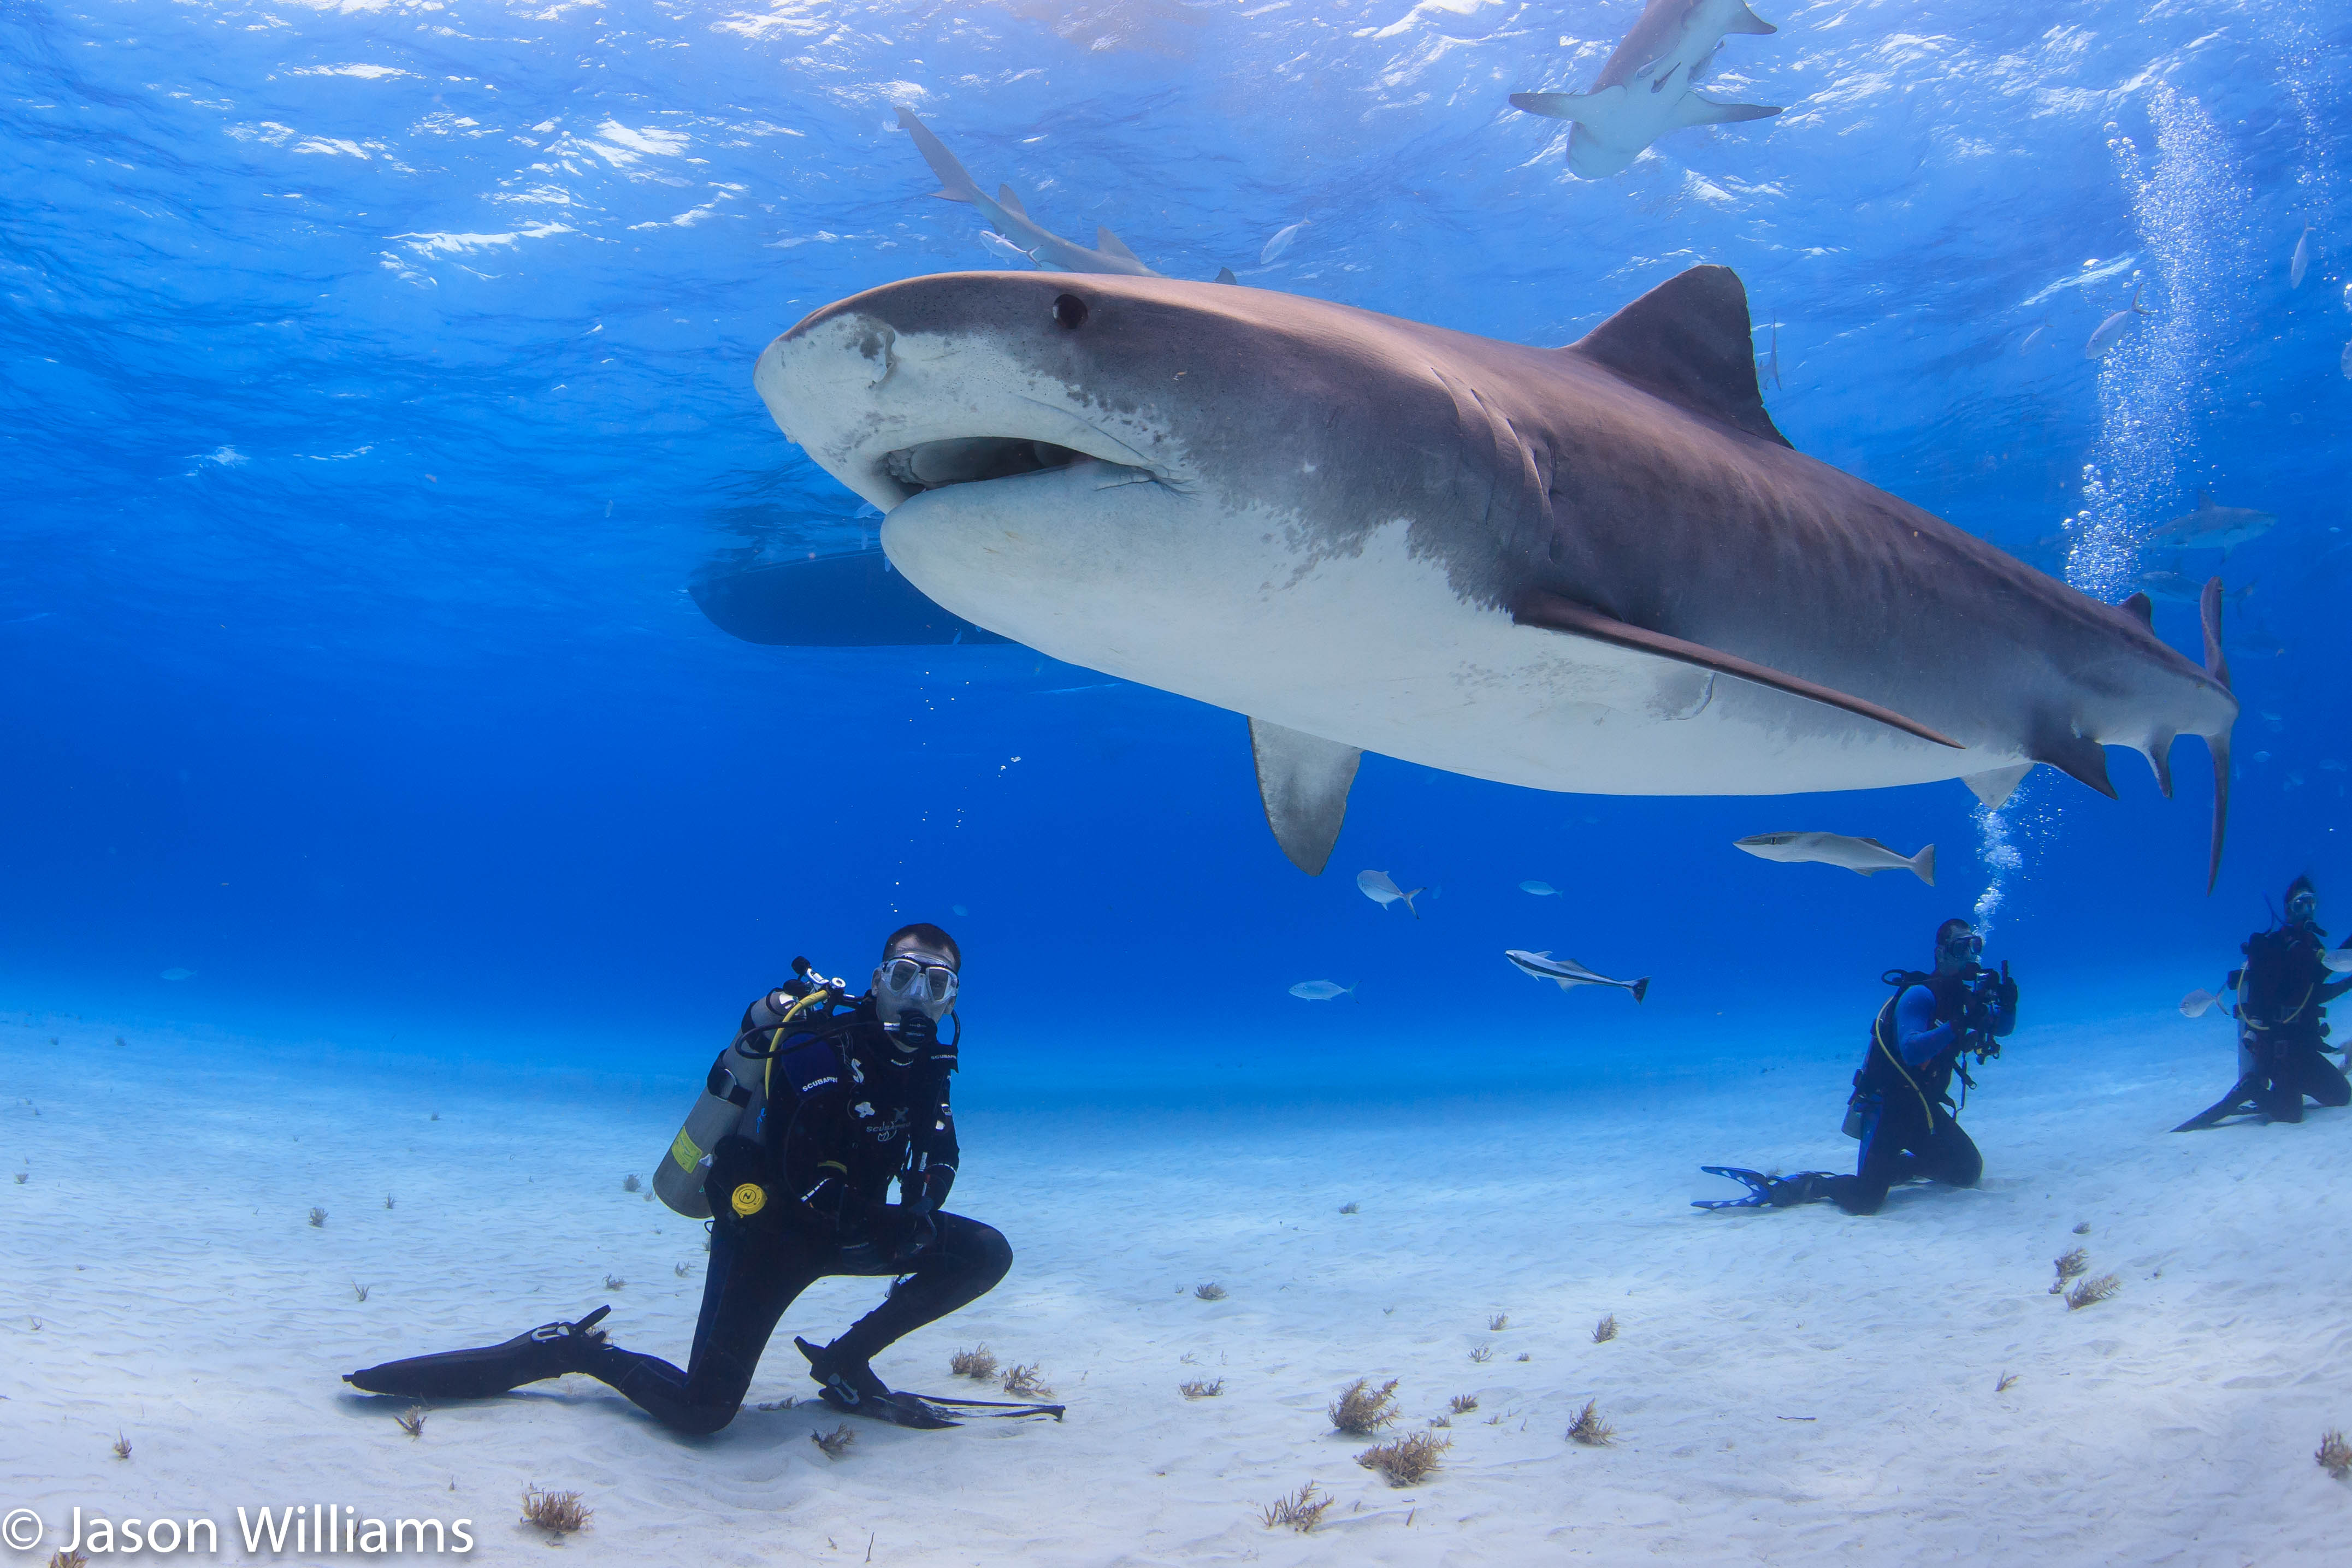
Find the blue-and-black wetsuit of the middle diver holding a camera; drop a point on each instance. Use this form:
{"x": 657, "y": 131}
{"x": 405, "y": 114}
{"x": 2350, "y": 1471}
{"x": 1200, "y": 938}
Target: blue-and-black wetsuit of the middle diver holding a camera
{"x": 1904, "y": 1092}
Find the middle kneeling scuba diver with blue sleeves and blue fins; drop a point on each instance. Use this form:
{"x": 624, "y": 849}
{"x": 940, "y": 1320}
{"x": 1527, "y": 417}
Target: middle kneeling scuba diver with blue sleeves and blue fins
{"x": 1902, "y": 1101}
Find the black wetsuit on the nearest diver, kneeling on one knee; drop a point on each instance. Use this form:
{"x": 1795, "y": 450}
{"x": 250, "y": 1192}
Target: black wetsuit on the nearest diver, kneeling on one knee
{"x": 846, "y": 1115}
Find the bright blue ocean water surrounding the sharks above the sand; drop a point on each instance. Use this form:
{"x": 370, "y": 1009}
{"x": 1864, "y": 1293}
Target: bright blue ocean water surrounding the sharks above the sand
{"x": 380, "y": 380}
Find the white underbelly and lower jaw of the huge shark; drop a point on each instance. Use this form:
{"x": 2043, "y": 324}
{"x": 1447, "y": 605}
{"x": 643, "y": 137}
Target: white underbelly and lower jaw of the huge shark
{"x": 1370, "y": 648}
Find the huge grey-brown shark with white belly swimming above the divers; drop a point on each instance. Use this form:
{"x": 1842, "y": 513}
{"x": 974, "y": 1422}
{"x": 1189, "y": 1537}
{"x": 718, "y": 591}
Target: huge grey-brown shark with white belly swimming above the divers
{"x": 1593, "y": 568}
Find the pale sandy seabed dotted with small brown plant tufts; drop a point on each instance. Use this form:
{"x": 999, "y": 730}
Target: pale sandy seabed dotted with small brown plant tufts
{"x": 1786, "y": 1388}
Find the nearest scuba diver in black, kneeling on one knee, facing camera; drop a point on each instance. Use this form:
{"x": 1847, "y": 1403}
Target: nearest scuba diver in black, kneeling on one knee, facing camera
{"x": 808, "y": 1118}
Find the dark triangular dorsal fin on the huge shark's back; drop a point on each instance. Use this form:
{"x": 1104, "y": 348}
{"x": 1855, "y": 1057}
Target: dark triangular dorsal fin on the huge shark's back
{"x": 1690, "y": 344}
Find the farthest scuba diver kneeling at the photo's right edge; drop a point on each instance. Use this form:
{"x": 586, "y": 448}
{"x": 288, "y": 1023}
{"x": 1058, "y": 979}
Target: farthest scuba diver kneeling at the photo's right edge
{"x": 2283, "y": 1028}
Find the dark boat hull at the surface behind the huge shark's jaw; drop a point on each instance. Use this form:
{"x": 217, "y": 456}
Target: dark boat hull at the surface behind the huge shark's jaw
{"x": 827, "y": 603}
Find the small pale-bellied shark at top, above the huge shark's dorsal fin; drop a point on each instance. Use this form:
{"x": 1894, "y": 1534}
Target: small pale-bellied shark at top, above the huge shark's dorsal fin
{"x": 1645, "y": 91}
